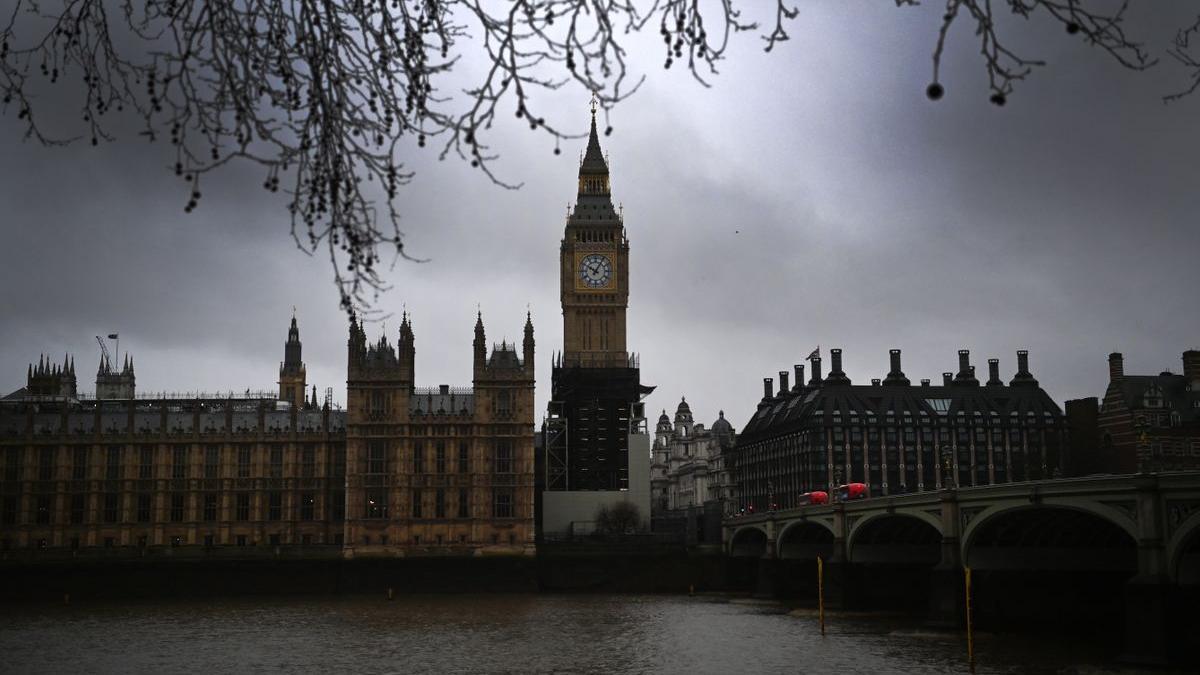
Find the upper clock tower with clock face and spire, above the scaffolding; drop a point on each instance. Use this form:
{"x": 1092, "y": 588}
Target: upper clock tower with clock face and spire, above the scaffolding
{"x": 595, "y": 268}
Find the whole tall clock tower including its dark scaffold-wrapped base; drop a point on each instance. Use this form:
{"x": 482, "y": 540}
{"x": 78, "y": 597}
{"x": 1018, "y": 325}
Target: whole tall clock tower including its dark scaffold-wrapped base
{"x": 592, "y": 440}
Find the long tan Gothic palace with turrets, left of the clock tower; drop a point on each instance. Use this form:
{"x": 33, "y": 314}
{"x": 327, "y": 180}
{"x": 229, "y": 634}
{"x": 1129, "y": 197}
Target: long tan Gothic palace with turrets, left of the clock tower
{"x": 404, "y": 471}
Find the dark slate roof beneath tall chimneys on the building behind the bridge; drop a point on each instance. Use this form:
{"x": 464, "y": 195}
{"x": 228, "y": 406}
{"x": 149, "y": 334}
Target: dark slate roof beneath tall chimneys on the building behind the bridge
{"x": 817, "y": 405}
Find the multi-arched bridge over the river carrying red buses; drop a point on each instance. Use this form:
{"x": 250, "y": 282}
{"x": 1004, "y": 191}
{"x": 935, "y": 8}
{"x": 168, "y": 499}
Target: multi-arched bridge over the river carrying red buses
{"x": 1053, "y": 552}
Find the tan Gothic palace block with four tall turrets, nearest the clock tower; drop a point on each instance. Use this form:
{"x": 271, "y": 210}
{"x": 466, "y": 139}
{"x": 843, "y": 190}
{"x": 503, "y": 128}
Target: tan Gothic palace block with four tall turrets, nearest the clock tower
{"x": 447, "y": 470}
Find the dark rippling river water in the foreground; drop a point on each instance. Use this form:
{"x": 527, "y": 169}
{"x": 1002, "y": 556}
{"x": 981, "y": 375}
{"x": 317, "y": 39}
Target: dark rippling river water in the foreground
{"x": 502, "y": 634}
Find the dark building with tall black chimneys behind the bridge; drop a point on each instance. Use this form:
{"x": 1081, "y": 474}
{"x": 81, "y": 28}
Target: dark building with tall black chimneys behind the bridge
{"x": 895, "y": 437}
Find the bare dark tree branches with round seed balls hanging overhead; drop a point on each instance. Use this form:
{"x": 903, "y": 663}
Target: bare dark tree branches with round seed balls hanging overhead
{"x": 326, "y": 95}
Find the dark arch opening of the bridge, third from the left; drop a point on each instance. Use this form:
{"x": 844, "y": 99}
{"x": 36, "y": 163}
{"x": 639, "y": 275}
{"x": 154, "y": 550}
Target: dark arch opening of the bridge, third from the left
{"x": 899, "y": 537}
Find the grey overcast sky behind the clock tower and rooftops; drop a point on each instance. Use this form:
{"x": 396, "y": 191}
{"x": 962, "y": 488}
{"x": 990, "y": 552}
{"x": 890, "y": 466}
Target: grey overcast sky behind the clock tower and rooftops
{"x": 813, "y": 196}
